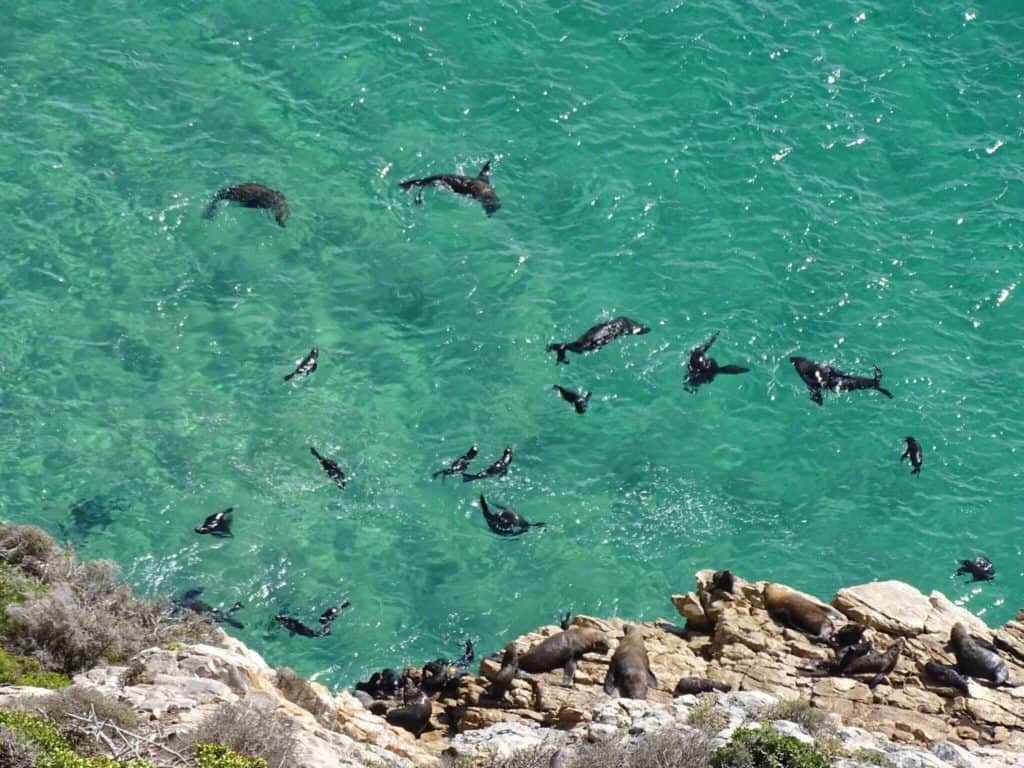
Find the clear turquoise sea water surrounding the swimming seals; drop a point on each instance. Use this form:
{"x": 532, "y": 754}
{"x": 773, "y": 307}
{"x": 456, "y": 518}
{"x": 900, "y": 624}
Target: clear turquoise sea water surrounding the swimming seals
{"x": 839, "y": 181}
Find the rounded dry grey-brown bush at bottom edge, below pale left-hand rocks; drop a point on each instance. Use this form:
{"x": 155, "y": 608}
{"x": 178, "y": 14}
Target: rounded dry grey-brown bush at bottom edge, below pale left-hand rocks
{"x": 249, "y": 731}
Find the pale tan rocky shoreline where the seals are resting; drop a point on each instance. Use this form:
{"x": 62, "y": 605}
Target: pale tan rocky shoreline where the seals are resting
{"x": 729, "y": 637}
